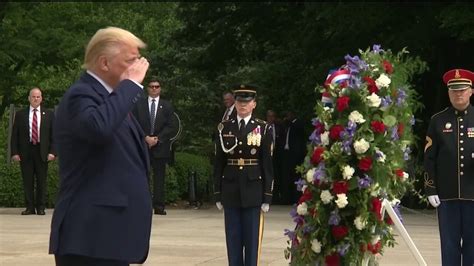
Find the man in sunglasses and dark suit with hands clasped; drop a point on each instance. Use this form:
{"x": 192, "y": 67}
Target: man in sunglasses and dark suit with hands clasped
{"x": 155, "y": 116}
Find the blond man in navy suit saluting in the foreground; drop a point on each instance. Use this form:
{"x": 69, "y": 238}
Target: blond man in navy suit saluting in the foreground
{"x": 103, "y": 212}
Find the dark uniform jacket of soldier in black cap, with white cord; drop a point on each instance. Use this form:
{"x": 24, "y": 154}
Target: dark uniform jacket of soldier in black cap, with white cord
{"x": 243, "y": 171}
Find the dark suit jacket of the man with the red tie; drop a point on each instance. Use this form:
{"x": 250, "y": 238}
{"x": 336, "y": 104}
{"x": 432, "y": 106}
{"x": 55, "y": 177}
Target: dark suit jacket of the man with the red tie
{"x": 20, "y": 141}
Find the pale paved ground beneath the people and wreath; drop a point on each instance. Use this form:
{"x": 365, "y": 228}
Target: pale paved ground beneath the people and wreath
{"x": 196, "y": 237}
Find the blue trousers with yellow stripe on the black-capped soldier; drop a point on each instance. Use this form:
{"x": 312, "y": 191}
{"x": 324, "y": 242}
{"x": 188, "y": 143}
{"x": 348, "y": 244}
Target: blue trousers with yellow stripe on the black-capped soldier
{"x": 244, "y": 232}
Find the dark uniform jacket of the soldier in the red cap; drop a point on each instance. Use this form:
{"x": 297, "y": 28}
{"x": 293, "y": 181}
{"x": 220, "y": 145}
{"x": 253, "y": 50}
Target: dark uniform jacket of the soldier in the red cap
{"x": 449, "y": 155}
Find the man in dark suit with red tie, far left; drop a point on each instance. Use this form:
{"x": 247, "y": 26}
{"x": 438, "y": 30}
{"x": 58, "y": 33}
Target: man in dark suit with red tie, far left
{"x": 32, "y": 145}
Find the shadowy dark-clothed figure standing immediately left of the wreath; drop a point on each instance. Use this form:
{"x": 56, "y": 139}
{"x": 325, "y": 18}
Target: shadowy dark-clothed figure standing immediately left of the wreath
{"x": 294, "y": 151}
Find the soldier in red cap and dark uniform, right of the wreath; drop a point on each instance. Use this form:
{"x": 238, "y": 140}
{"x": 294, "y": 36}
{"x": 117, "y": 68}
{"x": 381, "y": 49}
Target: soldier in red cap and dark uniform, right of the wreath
{"x": 449, "y": 166}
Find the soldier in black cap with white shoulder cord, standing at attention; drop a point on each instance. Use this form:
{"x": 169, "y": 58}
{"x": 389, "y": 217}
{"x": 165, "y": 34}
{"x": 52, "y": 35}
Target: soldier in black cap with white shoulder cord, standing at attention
{"x": 243, "y": 175}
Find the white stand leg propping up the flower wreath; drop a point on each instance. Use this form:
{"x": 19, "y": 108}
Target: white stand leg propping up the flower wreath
{"x": 387, "y": 207}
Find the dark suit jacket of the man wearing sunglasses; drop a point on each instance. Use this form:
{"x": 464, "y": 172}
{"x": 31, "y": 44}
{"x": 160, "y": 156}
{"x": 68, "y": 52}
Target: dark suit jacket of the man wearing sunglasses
{"x": 165, "y": 125}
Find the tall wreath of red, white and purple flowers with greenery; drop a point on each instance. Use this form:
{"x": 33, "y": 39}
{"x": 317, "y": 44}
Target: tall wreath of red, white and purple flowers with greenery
{"x": 357, "y": 156}
